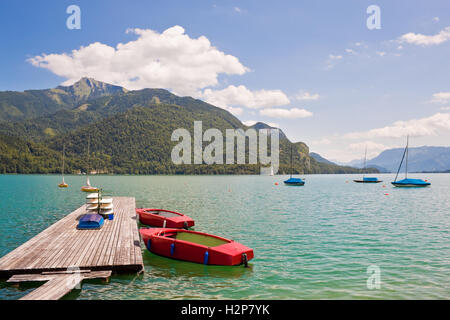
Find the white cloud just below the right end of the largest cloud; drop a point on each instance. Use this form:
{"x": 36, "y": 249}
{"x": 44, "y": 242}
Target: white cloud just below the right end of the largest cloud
{"x": 241, "y": 96}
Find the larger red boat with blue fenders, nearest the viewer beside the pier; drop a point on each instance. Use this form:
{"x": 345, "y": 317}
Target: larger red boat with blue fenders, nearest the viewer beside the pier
{"x": 195, "y": 246}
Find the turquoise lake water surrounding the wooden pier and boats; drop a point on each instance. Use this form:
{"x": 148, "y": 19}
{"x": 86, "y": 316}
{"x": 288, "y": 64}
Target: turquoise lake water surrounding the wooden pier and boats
{"x": 310, "y": 242}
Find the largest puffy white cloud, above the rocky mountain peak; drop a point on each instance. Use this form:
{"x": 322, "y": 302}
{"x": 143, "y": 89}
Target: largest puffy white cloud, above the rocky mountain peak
{"x": 170, "y": 60}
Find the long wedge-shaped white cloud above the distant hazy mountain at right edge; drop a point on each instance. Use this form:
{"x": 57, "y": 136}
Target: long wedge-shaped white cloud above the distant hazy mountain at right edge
{"x": 429, "y": 126}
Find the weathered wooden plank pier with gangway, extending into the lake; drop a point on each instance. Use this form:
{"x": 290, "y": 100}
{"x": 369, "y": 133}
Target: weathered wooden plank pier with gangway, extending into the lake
{"x": 63, "y": 256}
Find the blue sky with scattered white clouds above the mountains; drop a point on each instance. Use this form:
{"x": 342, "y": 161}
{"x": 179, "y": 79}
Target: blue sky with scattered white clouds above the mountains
{"x": 311, "y": 67}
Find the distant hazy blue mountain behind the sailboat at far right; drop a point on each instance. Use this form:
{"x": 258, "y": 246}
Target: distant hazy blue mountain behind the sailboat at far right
{"x": 420, "y": 159}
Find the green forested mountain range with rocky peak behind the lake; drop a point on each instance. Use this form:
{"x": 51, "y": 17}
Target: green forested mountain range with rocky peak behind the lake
{"x": 129, "y": 132}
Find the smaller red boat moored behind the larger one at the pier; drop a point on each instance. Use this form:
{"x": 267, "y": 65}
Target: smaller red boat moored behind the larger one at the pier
{"x": 159, "y": 217}
